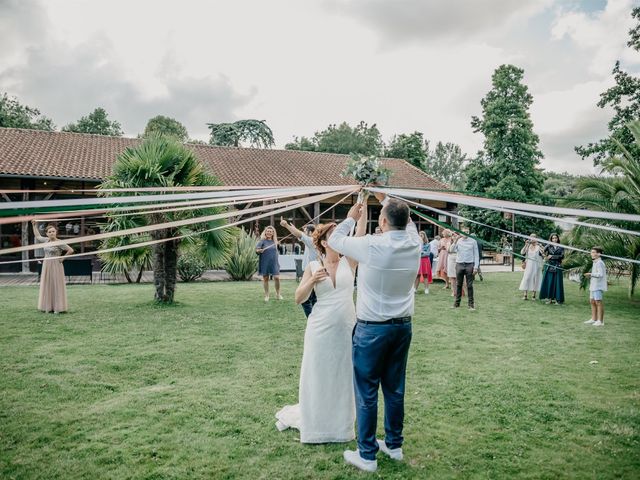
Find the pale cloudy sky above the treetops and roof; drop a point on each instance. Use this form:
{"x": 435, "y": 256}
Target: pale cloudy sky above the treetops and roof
{"x": 405, "y": 65}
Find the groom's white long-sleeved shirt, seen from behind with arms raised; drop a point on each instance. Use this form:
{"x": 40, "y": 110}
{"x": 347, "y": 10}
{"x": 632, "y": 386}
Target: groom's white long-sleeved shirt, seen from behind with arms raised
{"x": 387, "y": 269}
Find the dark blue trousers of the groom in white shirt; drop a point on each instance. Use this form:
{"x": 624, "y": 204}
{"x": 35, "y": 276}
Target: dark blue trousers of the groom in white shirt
{"x": 380, "y": 355}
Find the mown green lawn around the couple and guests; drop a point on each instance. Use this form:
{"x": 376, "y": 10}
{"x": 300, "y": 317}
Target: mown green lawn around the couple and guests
{"x": 120, "y": 388}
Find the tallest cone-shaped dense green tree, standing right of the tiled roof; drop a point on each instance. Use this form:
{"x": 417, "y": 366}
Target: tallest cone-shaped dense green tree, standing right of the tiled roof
{"x": 507, "y": 167}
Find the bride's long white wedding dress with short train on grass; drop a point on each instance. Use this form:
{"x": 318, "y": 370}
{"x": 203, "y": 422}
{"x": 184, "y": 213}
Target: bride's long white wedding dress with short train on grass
{"x": 326, "y": 409}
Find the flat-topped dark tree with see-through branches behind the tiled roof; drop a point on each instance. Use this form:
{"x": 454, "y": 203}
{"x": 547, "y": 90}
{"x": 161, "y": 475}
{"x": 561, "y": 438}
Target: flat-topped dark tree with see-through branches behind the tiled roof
{"x": 256, "y": 132}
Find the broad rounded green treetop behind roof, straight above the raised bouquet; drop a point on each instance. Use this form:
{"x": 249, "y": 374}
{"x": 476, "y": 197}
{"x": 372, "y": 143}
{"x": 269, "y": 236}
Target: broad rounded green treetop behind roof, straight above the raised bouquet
{"x": 362, "y": 139}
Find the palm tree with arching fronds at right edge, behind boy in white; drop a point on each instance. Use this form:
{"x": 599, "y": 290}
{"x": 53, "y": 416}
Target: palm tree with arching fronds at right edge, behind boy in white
{"x": 618, "y": 193}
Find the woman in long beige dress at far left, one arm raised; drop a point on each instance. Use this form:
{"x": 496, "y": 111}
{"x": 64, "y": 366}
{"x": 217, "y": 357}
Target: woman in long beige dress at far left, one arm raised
{"x": 53, "y": 291}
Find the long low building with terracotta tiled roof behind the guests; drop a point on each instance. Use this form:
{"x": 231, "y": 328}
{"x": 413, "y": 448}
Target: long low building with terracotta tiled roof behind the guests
{"x": 63, "y": 161}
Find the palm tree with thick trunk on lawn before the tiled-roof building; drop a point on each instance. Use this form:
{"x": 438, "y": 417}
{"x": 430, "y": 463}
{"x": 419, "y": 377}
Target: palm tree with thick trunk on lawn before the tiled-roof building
{"x": 164, "y": 162}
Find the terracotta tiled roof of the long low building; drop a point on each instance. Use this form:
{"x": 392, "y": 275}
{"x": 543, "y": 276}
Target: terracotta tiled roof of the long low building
{"x": 90, "y": 157}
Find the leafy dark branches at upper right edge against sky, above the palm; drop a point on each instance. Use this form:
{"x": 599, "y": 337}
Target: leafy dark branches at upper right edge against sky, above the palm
{"x": 624, "y": 98}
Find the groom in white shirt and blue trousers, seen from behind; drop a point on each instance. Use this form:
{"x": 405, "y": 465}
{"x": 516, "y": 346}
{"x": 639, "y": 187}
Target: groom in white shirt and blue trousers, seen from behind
{"x": 387, "y": 269}
